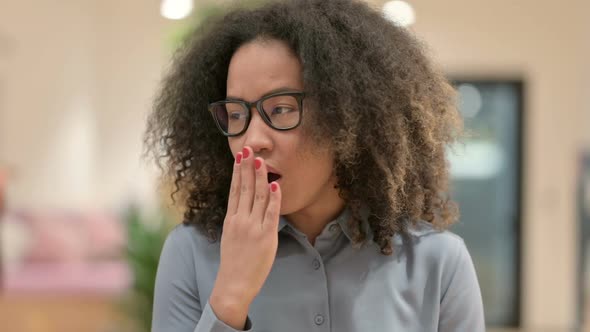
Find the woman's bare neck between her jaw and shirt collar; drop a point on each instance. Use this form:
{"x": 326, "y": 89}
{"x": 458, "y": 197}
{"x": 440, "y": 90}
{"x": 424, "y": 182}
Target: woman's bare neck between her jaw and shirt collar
{"x": 313, "y": 219}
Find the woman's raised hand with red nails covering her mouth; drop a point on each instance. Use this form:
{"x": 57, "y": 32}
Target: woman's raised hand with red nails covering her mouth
{"x": 249, "y": 241}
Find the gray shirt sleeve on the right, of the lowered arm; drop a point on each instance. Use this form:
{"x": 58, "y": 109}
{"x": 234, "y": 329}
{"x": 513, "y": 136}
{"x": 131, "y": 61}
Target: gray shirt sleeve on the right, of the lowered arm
{"x": 461, "y": 307}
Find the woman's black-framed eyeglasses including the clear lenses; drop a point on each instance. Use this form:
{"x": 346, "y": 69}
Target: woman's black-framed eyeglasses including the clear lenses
{"x": 281, "y": 111}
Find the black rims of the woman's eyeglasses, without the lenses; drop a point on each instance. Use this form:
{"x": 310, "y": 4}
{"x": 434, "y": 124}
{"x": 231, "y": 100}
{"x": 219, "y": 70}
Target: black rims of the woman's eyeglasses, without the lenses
{"x": 299, "y": 95}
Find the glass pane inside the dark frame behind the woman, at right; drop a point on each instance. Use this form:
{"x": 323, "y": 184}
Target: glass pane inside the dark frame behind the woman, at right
{"x": 485, "y": 170}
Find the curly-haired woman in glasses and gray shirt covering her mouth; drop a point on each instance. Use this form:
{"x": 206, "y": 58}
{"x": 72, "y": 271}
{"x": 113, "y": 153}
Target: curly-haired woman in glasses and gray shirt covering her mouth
{"x": 307, "y": 139}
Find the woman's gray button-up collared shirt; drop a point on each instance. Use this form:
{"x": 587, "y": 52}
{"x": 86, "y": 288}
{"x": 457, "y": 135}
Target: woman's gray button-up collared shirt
{"x": 428, "y": 284}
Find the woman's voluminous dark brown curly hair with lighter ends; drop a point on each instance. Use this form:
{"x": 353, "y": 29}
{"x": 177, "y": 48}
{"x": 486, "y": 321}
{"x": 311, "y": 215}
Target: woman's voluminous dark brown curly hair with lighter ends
{"x": 386, "y": 112}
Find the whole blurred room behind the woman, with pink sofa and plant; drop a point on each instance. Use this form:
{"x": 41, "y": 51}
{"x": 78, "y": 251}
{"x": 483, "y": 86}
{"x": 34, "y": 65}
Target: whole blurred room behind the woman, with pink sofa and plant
{"x": 82, "y": 217}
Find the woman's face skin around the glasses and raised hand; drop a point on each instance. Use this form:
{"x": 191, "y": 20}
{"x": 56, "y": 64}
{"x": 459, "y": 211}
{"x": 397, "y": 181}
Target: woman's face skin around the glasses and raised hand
{"x": 307, "y": 181}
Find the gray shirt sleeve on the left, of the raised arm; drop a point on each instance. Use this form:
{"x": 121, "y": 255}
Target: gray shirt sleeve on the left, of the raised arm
{"x": 177, "y": 306}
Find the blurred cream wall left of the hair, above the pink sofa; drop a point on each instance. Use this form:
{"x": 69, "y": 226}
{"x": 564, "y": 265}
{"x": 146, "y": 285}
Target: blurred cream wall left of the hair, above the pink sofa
{"x": 76, "y": 81}
